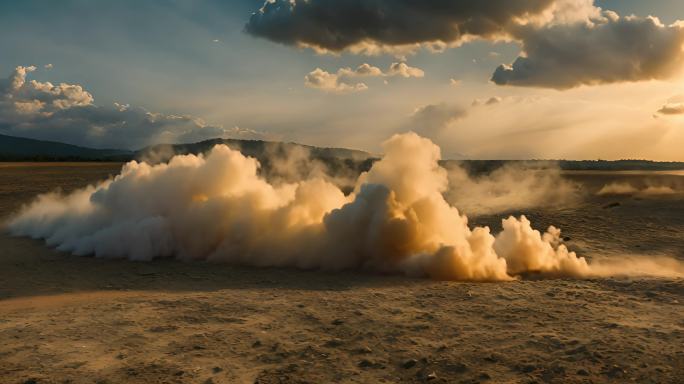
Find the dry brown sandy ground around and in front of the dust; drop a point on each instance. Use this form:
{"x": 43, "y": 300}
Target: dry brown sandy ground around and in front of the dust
{"x": 66, "y": 319}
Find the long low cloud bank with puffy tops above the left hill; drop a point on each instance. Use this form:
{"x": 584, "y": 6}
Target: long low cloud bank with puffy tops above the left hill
{"x": 68, "y": 113}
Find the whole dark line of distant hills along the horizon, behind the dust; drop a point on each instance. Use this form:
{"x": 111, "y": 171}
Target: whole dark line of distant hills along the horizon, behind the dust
{"x": 22, "y": 149}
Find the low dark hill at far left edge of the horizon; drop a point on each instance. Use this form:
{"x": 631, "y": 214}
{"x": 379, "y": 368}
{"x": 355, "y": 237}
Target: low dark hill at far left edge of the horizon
{"x": 21, "y": 149}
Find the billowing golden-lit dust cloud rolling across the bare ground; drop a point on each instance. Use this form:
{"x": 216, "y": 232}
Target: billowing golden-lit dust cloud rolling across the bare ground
{"x": 217, "y": 208}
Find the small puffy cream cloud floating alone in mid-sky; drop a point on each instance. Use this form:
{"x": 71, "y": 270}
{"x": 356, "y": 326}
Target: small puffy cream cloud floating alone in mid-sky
{"x": 342, "y": 80}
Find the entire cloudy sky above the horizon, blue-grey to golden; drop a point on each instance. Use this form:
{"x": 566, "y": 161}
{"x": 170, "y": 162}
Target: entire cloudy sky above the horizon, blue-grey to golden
{"x": 513, "y": 79}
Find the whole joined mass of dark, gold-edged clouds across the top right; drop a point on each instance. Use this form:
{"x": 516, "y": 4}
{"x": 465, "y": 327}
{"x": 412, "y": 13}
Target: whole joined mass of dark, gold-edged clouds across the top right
{"x": 565, "y": 43}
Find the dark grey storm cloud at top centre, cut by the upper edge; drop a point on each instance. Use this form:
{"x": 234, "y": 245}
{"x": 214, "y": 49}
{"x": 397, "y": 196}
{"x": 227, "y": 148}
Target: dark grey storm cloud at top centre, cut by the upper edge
{"x": 337, "y": 25}
